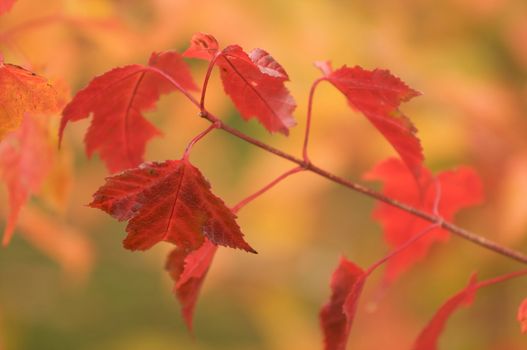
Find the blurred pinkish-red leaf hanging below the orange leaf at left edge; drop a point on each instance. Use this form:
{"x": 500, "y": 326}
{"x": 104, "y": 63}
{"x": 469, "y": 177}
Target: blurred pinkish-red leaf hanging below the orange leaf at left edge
{"x": 26, "y": 156}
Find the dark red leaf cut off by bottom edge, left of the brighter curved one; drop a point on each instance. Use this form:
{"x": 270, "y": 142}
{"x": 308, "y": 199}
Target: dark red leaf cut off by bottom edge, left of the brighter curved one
{"x": 336, "y": 317}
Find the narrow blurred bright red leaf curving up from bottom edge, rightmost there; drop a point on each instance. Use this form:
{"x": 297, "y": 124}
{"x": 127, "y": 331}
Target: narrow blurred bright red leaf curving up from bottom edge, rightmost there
{"x": 427, "y": 340}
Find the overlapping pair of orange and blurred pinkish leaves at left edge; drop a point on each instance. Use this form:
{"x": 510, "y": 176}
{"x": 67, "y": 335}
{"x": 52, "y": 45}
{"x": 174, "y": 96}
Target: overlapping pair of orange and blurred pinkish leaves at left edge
{"x": 25, "y": 151}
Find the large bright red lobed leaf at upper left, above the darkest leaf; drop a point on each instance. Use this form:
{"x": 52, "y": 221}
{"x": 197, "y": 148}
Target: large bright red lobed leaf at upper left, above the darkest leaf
{"x": 117, "y": 99}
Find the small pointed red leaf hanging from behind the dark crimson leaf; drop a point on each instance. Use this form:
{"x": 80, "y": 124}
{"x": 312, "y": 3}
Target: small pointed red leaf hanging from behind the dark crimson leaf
{"x": 188, "y": 270}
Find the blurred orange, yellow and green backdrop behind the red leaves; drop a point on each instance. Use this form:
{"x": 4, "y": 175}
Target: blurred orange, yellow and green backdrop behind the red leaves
{"x": 67, "y": 283}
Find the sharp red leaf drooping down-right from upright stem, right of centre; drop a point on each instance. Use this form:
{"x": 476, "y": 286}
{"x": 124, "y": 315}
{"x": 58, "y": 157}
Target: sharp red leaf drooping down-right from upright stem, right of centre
{"x": 378, "y": 94}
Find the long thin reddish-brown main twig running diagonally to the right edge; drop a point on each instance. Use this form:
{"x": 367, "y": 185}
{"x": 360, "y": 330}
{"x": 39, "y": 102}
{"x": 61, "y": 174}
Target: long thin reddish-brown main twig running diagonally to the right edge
{"x": 432, "y": 218}
